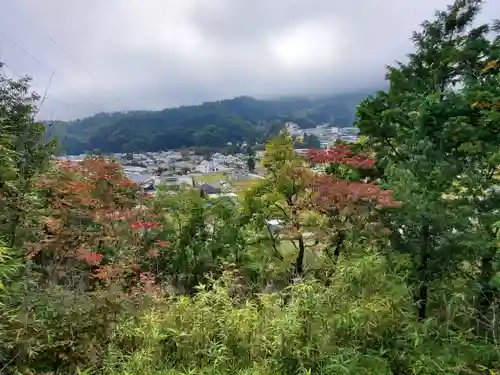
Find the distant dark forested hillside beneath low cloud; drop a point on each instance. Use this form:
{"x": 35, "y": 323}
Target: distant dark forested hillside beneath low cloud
{"x": 211, "y": 124}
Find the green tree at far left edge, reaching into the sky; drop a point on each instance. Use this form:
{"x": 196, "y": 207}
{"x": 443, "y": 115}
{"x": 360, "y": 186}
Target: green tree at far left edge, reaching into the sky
{"x": 25, "y": 152}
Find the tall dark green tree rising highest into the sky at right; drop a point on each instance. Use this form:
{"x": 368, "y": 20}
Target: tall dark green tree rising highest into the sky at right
{"x": 418, "y": 129}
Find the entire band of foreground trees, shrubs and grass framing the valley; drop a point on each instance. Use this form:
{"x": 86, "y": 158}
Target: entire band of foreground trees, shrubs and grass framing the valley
{"x": 387, "y": 263}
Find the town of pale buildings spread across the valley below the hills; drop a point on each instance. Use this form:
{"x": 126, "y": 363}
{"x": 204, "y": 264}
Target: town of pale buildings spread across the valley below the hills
{"x": 218, "y": 175}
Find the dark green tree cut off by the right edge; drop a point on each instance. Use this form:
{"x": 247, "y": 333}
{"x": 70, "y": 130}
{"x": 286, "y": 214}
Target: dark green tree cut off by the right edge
{"x": 478, "y": 184}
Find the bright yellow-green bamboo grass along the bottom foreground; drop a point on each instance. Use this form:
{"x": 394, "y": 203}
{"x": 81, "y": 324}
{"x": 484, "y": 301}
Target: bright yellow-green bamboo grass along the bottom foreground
{"x": 362, "y": 323}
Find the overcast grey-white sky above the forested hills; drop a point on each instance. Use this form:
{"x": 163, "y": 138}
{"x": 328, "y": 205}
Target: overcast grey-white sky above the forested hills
{"x": 114, "y": 55}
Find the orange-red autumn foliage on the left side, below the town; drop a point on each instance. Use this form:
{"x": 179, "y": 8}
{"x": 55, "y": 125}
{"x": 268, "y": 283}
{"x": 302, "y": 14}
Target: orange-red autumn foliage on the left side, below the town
{"x": 91, "y": 206}
